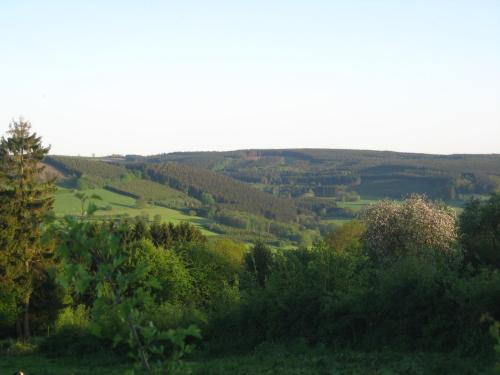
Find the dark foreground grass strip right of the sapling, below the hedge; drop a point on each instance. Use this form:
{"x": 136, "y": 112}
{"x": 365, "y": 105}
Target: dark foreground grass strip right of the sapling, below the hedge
{"x": 280, "y": 360}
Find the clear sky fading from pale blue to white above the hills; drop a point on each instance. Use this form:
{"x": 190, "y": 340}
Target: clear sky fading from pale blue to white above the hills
{"x": 146, "y": 77}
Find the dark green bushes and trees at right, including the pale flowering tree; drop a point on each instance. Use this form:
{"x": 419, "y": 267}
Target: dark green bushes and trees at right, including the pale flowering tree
{"x": 404, "y": 277}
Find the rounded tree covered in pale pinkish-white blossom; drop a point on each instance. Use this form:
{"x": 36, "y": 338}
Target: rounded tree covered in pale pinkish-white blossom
{"x": 414, "y": 224}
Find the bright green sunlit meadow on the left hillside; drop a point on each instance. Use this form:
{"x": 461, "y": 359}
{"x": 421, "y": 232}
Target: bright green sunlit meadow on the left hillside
{"x": 67, "y": 204}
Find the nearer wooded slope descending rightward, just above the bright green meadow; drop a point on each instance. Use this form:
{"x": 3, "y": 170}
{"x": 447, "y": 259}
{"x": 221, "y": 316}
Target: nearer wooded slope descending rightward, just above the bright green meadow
{"x": 156, "y": 181}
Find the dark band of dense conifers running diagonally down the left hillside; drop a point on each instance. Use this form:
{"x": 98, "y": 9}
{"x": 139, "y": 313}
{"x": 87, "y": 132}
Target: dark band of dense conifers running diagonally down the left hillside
{"x": 225, "y": 191}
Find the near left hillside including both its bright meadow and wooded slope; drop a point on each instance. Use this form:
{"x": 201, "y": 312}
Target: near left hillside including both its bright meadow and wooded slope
{"x": 217, "y": 202}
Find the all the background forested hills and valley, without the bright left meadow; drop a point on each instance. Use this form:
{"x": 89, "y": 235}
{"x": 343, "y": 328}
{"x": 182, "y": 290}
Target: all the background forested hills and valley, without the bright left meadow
{"x": 291, "y": 195}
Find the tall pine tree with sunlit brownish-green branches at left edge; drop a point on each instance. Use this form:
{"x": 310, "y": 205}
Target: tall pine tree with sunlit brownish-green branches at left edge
{"x": 25, "y": 202}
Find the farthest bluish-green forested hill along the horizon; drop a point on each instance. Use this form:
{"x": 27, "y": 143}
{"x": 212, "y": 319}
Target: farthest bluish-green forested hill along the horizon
{"x": 328, "y": 172}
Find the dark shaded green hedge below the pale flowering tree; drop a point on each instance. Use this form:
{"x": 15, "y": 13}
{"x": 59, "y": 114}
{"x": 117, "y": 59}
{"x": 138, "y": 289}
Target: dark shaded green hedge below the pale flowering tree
{"x": 338, "y": 295}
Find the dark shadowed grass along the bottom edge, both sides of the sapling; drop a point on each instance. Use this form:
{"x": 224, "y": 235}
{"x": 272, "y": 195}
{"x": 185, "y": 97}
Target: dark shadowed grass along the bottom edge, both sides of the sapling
{"x": 267, "y": 359}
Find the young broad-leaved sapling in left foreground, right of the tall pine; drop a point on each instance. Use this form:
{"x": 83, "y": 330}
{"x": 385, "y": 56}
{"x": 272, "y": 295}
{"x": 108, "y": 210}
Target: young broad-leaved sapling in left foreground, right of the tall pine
{"x": 124, "y": 279}
